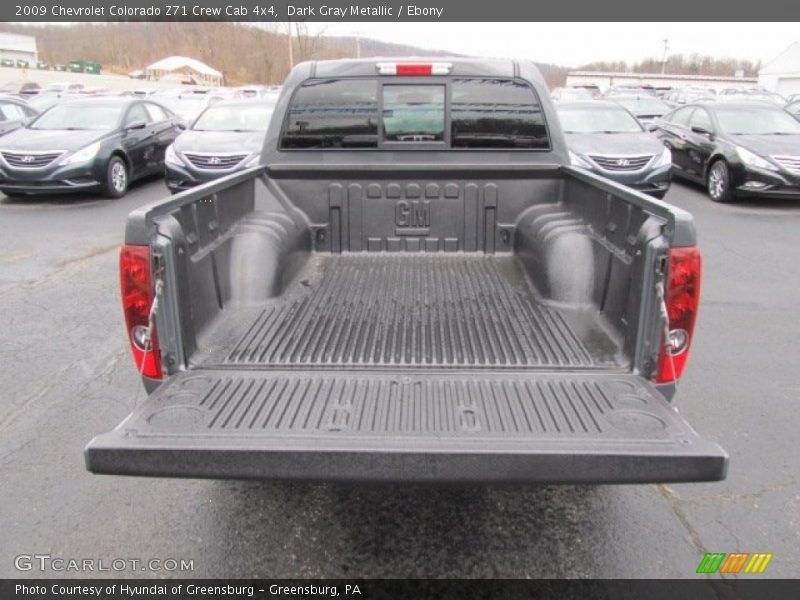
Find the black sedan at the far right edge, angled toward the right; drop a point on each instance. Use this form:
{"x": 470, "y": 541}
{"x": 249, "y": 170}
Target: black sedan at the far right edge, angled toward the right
{"x": 735, "y": 149}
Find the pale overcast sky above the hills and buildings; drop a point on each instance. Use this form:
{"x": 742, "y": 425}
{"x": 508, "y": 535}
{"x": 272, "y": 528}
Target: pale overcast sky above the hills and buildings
{"x": 573, "y": 44}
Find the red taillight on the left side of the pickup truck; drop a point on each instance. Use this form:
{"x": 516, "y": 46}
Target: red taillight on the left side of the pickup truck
{"x": 137, "y": 298}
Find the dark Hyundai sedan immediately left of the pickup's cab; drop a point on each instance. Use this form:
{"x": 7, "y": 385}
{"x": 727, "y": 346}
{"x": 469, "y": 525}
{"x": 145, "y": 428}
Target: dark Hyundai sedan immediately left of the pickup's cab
{"x": 226, "y": 137}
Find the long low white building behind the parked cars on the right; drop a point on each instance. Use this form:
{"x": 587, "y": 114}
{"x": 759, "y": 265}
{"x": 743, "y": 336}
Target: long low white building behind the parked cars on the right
{"x": 604, "y": 80}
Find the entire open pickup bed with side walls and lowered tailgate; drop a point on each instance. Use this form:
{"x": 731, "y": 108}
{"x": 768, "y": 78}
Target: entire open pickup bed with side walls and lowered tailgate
{"x": 311, "y": 333}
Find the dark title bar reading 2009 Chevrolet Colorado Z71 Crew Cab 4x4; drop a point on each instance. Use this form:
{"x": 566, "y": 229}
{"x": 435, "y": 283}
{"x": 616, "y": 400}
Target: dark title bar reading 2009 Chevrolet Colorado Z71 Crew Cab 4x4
{"x": 48, "y": 11}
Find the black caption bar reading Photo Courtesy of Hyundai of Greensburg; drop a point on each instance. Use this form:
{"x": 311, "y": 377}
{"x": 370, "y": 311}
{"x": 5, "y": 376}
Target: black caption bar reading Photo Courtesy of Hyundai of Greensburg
{"x": 697, "y": 588}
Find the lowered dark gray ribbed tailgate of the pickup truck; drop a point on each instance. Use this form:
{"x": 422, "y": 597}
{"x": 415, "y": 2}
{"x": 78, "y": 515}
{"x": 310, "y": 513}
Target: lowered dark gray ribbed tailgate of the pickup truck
{"x": 324, "y": 425}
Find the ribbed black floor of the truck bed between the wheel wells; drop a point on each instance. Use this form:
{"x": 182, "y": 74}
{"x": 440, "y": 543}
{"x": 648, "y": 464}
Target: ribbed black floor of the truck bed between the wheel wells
{"x": 406, "y": 310}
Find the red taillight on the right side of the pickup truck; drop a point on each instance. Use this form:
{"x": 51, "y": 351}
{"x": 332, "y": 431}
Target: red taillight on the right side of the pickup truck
{"x": 683, "y": 296}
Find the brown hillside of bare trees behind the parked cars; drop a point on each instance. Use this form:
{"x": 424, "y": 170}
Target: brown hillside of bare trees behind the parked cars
{"x": 260, "y": 54}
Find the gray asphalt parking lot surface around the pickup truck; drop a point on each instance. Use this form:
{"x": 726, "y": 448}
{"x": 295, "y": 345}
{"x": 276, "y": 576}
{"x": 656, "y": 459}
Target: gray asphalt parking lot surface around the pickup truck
{"x": 67, "y": 375}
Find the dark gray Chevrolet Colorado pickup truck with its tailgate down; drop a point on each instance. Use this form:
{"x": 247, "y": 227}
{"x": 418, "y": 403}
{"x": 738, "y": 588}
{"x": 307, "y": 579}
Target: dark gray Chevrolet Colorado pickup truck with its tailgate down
{"x": 414, "y": 285}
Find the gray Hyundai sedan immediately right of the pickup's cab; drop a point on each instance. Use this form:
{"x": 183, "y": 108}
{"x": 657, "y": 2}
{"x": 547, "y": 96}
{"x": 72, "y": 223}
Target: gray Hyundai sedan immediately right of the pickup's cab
{"x": 605, "y": 138}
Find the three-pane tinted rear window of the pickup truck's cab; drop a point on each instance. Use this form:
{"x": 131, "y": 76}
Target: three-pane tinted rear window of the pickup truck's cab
{"x": 422, "y": 113}
